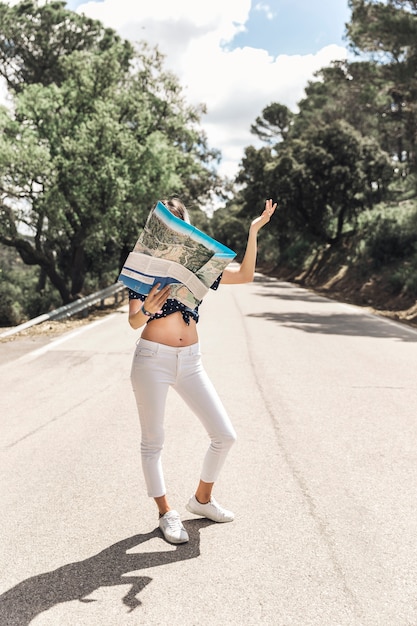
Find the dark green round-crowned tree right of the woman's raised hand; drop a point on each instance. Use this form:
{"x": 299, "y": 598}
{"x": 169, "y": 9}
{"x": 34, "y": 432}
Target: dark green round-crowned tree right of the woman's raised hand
{"x": 327, "y": 177}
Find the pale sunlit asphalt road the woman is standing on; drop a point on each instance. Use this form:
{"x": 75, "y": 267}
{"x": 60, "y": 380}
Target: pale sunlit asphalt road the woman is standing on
{"x": 323, "y": 477}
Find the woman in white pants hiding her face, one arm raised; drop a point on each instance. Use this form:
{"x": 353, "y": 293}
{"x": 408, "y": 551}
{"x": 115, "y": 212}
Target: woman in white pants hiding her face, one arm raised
{"x": 167, "y": 355}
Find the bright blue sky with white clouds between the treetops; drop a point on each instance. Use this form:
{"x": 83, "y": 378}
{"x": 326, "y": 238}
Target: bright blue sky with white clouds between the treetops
{"x": 235, "y": 56}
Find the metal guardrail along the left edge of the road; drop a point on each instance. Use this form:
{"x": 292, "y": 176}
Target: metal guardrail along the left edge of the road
{"x": 68, "y": 310}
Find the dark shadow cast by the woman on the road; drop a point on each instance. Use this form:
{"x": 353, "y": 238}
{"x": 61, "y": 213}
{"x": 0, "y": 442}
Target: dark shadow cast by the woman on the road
{"x": 75, "y": 581}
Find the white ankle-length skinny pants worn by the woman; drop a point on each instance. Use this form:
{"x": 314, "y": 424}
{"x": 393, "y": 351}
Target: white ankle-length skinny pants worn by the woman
{"x": 155, "y": 368}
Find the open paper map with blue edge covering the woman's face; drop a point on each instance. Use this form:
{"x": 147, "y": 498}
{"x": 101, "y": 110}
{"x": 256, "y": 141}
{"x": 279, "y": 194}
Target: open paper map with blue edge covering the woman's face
{"x": 170, "y": 251}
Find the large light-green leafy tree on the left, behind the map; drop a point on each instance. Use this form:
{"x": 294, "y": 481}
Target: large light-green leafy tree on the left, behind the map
{"x": 83, "y": 158}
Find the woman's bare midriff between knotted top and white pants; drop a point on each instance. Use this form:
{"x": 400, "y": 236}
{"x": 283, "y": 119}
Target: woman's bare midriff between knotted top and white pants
{"x": 171, "y": 331}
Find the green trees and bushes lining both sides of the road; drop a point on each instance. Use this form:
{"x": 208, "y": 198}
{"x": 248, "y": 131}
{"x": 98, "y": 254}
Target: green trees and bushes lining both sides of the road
{"x": 97, "y": 130}
